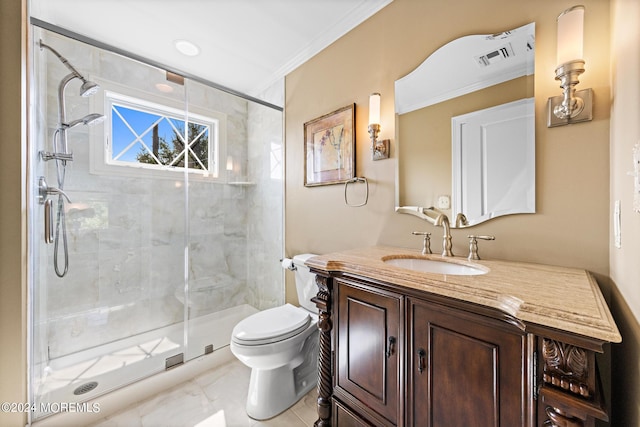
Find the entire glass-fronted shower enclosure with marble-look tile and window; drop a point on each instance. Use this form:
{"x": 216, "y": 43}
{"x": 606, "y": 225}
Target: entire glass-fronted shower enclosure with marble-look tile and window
{"x": 153, "y": 231}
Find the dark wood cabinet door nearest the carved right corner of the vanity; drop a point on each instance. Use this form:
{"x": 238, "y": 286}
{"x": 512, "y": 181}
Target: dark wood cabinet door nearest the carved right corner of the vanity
{"x": 464, "y": 370}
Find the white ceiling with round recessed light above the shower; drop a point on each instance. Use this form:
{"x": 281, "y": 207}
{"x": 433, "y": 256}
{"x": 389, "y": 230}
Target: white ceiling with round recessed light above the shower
{"x": 245, "y": 45}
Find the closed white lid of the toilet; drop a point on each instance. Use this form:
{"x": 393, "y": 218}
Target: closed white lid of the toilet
{"x": 274, "y": 324}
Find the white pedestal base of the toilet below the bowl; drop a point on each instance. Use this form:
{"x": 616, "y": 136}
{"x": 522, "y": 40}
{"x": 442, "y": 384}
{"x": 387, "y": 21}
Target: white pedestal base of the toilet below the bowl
{"x": 274, "y": 391}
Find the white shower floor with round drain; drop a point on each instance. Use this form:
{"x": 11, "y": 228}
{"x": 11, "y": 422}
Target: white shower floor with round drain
{"x": 125, "y": 361}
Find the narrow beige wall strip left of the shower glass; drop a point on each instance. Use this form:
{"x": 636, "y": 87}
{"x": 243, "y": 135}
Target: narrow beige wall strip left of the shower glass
{"x": 13, "y": 358}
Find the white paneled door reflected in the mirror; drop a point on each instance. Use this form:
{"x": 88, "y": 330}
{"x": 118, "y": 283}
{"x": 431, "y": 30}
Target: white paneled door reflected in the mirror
{"x": 493, "y": 161}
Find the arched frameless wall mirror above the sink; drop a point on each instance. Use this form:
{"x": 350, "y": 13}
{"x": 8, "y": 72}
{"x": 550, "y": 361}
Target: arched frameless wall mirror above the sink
{"x": 465, "y": 129}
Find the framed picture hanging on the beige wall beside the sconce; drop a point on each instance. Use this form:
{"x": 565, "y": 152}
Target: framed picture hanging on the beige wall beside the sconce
{"x": 329, "y": 148}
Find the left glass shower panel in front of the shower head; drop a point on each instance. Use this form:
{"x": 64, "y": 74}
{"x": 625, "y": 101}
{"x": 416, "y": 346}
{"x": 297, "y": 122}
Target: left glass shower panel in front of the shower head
{"x": 108, "y": 263}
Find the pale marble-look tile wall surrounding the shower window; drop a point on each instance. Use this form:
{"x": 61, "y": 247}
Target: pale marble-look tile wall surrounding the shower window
{"x": 127, "y": 236}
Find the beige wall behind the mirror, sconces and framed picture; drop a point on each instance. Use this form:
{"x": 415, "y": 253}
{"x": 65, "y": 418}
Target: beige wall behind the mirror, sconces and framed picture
{"x": 570, "y": 227}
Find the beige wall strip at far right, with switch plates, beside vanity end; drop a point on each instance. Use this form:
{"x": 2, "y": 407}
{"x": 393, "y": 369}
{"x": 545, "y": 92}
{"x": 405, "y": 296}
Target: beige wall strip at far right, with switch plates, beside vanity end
{"x": 624, "y": 265}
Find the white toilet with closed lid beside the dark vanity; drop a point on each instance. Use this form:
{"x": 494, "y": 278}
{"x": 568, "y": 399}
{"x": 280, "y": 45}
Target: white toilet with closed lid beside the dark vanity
{"x": 280, "y": 345}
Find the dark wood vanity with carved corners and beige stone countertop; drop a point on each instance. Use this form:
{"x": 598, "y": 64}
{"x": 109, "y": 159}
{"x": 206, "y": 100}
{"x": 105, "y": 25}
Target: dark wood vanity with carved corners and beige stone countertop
{"x": 406, "y": 348}
